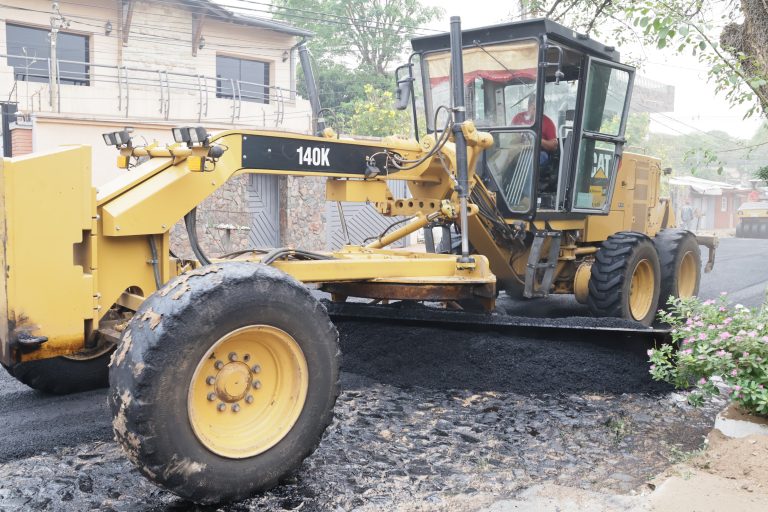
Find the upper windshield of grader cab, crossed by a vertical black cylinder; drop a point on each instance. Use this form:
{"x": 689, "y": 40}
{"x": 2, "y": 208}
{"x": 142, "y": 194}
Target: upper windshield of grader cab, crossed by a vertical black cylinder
{"x": 498, "y": 80}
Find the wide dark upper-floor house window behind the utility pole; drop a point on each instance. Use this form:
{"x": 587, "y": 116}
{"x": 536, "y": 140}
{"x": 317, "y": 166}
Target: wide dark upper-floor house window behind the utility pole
{"x": 29, "y": 50}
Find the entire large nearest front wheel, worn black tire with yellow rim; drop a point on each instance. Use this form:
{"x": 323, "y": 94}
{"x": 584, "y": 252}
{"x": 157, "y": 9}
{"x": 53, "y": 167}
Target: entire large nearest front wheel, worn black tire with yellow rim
{"x": 225, "y": 381}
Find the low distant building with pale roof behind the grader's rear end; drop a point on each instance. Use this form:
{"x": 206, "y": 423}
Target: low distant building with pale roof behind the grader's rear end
{"x": 715, "y": 202}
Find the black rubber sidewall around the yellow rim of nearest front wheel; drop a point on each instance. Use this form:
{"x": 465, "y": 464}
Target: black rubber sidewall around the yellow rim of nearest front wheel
{"x": 186, "y": 332}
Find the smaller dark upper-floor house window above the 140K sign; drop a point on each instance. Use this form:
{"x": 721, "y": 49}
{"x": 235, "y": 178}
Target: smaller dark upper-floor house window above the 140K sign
{"x": 250, "y": 79}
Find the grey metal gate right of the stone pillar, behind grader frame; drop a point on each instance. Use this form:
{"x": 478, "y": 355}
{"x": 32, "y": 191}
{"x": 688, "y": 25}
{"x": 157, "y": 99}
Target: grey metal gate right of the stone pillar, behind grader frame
{"x": 363, "y": 221}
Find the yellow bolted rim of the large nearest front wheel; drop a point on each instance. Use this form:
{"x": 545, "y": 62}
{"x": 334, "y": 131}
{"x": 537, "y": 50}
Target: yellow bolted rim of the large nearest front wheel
{"x": 248, "y": 391}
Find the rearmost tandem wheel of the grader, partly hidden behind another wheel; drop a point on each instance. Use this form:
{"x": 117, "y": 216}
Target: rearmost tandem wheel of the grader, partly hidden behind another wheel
{"x": 680, "y": 261}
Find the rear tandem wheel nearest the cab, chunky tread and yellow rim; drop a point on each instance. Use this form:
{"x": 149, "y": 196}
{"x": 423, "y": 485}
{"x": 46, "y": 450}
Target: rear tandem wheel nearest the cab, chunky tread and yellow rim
{"x": 625, "y": 279}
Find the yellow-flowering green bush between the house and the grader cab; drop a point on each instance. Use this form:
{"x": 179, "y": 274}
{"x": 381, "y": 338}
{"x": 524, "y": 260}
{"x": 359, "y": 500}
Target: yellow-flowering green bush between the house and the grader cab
{"x": 375, "y": 115}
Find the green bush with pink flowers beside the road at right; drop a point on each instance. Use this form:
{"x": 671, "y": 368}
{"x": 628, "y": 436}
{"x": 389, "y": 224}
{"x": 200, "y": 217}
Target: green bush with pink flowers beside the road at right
{"x": 718, "y": 344}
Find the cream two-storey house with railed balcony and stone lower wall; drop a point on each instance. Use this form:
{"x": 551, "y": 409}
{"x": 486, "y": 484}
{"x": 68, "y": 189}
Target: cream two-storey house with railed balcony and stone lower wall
{"x": 72, "y": 70}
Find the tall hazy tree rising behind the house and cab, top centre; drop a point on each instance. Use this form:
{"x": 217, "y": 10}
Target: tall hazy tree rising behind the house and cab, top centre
{"x": 373, "y": 32}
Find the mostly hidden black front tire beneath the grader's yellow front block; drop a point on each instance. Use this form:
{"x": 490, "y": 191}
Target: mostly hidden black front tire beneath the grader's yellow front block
{"x": 64, "y": 374}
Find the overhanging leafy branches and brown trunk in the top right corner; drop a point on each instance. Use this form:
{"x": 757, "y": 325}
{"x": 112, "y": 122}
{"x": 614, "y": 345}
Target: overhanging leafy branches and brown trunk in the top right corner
{"x": 737, "y": 57}
